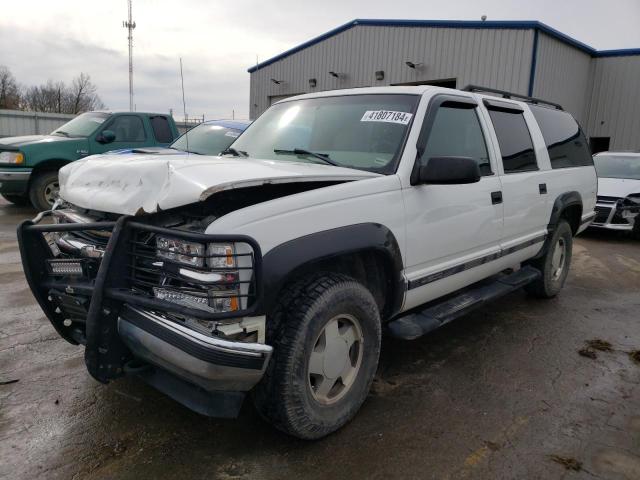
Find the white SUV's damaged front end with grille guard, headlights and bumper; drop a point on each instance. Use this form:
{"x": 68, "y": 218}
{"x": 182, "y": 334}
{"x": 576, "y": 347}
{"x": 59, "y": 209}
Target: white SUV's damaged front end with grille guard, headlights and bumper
{"x": 153, "y": 297}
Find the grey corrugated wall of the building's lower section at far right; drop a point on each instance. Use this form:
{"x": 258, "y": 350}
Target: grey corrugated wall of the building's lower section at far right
{"x": 614, "y": 103}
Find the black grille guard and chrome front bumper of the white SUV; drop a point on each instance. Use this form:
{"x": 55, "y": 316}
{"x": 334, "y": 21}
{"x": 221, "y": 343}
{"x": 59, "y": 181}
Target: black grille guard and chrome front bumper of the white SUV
{"x": 204, "y": 372}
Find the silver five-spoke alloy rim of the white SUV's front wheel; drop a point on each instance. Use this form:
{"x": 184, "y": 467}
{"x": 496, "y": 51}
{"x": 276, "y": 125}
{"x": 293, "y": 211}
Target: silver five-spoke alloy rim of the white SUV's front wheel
{"x": 335, "y": 359}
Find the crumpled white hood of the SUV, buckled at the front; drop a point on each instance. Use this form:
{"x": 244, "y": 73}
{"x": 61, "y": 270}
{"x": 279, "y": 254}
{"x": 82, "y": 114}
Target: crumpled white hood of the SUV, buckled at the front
{"x": 132, "y": 184}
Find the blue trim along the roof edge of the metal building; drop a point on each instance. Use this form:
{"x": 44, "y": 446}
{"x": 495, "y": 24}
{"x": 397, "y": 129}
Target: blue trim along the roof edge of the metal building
{"x": 488, "y": 24}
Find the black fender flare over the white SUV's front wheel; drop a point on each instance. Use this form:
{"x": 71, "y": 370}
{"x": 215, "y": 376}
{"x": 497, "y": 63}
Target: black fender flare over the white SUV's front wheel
{"x": 280, "y": 263}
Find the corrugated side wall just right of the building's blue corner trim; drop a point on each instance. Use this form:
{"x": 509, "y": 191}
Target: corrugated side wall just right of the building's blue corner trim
{"x": 562, "y": 75}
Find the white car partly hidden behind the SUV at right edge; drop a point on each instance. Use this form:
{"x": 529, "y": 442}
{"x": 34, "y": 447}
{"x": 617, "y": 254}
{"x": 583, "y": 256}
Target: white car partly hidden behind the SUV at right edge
{"x": 618, "y": 206}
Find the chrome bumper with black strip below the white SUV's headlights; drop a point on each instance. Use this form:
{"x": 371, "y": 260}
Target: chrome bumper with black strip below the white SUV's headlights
{"x": 211, "y": 363}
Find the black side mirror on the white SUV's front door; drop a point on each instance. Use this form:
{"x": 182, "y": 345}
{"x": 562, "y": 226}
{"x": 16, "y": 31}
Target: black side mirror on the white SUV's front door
{"x": 449, "y": 171}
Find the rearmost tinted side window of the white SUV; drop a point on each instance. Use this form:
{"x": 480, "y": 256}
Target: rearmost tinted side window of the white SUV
{"x": 565, "y": 141}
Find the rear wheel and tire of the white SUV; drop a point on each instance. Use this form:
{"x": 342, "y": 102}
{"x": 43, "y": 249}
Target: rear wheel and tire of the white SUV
{"x": 555, "y": 263}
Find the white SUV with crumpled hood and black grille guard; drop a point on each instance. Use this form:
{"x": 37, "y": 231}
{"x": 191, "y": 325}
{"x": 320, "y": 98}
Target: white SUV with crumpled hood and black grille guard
{"x": 276, "y": 267}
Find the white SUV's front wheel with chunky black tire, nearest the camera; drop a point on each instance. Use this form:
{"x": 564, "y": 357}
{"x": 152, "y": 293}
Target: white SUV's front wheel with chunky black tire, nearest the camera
{"x": 314, "y": 316}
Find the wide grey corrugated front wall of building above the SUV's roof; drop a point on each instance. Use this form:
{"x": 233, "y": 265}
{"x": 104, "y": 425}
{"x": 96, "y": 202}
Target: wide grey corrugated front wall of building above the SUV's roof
{"x": 490, "y": 57}
